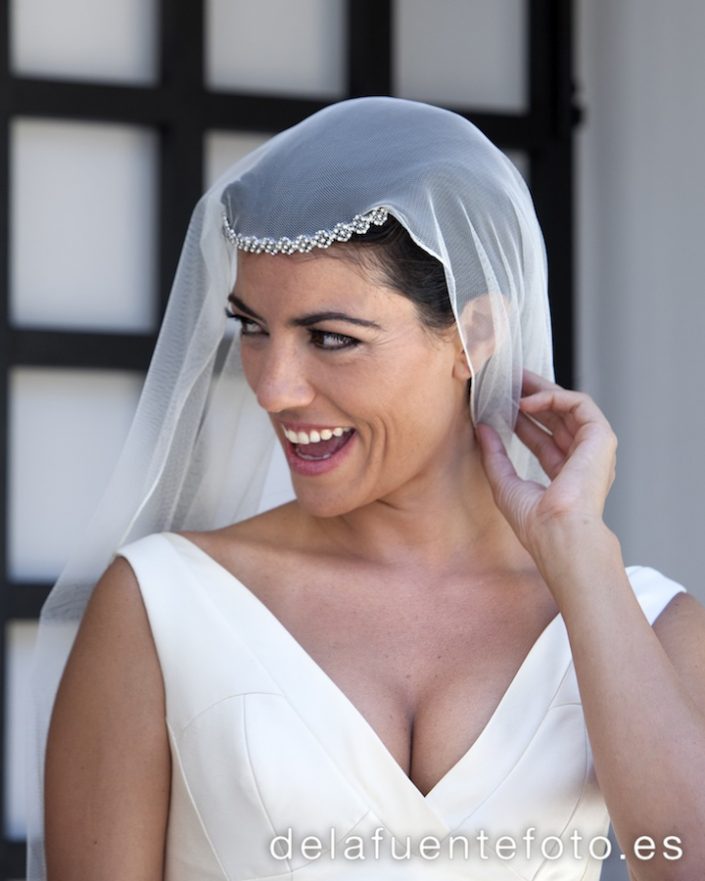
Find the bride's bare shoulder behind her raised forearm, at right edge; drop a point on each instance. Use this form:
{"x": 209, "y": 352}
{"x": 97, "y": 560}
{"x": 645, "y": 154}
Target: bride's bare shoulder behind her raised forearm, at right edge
{"x": 681, "y": 630}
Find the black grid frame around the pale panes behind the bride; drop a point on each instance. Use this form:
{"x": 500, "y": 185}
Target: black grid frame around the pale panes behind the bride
{"x": 181, "y": 110}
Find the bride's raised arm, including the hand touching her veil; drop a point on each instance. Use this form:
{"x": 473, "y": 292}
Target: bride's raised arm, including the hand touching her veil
{"x": 642, "y": 688}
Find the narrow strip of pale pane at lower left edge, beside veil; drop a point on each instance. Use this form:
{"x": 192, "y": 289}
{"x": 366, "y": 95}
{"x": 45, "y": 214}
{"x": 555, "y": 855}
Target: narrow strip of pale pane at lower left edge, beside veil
{"x": 20, "y": 642}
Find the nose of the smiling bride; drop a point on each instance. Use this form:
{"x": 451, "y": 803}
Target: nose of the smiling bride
{"x": 279, "y": 378}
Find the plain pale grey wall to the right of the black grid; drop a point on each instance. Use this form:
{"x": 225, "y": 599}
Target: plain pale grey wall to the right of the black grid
{"x": 641, "y": 232}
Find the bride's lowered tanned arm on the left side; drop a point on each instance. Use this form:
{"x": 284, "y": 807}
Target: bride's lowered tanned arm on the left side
{"x": 108, "y": 765}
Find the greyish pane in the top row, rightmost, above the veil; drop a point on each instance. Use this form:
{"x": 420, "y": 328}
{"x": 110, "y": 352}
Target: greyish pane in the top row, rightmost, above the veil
{"x": 467, "y": 53}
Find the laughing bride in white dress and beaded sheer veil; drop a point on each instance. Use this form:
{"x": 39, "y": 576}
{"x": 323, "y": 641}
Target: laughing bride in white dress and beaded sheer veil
{"x": 395, "y": 674}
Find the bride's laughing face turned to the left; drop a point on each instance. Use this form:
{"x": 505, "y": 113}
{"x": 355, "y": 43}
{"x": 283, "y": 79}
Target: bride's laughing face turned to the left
{"x": 364, "y": 400}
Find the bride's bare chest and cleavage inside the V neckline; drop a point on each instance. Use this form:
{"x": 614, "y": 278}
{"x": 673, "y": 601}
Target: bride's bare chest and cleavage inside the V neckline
{"x": 425, "y": 669}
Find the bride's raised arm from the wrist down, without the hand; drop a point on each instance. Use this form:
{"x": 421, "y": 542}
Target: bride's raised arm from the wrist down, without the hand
{"x": 643, "y": 696}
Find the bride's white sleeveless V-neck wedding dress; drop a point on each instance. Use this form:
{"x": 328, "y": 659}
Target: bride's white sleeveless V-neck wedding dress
{"x": 264, "y": 744}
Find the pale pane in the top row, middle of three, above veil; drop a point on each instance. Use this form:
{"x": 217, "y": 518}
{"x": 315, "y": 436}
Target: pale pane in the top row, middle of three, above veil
{"x": 275, "y": 46}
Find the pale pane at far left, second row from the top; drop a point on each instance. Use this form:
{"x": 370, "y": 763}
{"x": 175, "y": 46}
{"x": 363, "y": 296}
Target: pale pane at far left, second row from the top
{"x": 82, "y": 225}
